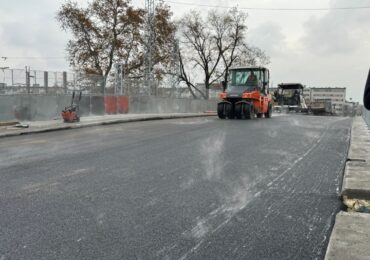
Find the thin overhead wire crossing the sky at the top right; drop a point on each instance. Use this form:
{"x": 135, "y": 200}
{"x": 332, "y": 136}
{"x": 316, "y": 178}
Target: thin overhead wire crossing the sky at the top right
{"x": 272, "y": 9}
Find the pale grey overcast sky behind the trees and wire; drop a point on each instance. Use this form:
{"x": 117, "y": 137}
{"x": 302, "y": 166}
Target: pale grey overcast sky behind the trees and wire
{"x": 316, "y": 48}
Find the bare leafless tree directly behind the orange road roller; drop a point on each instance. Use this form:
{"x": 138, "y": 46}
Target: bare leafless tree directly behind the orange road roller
{"x": 215, "y": 45}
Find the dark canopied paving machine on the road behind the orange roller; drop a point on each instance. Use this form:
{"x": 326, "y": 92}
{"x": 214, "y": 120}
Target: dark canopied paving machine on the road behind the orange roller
{"x": 289, "y": 97}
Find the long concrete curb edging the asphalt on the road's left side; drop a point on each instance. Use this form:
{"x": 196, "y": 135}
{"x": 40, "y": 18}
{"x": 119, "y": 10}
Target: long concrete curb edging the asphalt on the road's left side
{"x": 105, "y": 122}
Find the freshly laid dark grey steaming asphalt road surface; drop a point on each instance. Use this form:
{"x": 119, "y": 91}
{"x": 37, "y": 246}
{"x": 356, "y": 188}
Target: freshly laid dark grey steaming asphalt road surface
{"x": 175, "y": 189}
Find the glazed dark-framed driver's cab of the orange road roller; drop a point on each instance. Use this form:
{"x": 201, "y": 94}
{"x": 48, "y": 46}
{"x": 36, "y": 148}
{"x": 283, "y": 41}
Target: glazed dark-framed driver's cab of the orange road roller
{"x": 247, "y": 79}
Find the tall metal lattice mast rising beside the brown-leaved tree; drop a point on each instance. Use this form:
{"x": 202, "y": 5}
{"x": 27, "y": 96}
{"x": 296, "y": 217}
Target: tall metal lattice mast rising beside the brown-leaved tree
{"x": 149, "y": 42}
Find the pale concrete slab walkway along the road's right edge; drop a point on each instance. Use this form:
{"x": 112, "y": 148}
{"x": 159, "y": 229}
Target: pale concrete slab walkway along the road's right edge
{"x": 350, "y": 238}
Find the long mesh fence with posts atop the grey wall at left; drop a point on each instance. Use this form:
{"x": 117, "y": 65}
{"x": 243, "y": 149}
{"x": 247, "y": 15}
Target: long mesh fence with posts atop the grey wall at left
{"x": 16, "y": 81}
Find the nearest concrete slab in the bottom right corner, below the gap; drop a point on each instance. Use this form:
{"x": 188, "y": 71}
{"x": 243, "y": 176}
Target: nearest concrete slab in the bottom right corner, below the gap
{"x": 350, "y": 238}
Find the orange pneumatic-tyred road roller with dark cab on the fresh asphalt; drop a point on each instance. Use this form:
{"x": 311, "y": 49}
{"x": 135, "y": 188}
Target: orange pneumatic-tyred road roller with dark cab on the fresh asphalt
{"x": 246, "y": 94}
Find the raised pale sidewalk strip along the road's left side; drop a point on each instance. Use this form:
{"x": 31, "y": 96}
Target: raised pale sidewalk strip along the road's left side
{"x": 55, "y": 125}
